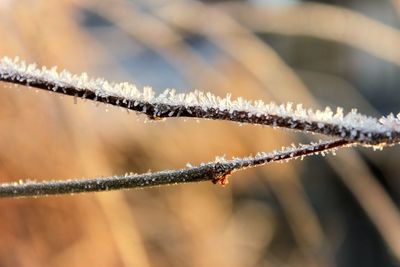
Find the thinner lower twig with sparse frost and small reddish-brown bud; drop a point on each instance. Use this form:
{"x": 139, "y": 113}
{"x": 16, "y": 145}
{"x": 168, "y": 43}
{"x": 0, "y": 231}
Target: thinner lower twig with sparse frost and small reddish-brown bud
{"x": 215, "y": 171}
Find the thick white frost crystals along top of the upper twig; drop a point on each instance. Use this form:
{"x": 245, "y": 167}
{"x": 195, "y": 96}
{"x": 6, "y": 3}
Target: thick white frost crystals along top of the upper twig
{"x": 18, "y": 69}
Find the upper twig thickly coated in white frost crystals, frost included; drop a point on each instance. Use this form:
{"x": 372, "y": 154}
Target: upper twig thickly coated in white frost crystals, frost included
{"x": 353, "y": 127}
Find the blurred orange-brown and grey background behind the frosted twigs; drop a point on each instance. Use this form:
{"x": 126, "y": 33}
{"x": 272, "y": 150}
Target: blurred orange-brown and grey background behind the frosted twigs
{"x": 324, "y": 211}
